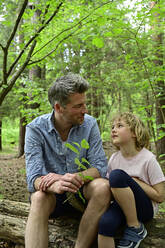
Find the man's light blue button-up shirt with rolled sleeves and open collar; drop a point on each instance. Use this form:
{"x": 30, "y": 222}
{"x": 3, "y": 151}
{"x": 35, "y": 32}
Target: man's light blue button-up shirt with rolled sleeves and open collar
{"x": 45, "y": 152}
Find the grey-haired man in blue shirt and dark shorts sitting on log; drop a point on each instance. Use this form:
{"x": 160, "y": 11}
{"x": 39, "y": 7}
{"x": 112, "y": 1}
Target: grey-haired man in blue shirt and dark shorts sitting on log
{"x": 51, "y": 168}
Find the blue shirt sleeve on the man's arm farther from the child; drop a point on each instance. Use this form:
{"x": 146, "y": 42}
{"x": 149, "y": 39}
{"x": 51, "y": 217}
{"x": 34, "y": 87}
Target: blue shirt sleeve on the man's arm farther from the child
{"x": 33, "y": 156}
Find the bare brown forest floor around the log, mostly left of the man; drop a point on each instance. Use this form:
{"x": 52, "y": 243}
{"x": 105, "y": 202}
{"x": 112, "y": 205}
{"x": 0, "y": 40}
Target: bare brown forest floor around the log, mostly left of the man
{"x": 13, "y": 184}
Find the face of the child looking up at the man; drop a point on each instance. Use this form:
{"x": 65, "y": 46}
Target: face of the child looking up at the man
{"x": 121, "y": 133}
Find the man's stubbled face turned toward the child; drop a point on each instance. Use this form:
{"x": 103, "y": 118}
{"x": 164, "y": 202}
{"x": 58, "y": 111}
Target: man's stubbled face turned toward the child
{"x": 73, "y": 113}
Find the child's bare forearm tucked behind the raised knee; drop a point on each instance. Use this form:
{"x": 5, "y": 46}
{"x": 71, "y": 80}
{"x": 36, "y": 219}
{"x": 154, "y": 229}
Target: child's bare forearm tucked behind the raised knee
{"x": 155, "y": 192}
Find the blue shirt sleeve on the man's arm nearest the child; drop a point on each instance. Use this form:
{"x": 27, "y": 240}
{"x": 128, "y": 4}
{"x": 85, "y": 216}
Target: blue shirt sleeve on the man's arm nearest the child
{"x": 96, "y": 155}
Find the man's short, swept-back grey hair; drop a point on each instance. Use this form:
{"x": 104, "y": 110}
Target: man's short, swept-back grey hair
{"x": 64, "y": 86}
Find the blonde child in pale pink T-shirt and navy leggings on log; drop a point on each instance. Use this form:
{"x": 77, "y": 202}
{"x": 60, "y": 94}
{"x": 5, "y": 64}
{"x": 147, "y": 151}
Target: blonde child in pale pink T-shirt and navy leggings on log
{"x": 136, "y": 182}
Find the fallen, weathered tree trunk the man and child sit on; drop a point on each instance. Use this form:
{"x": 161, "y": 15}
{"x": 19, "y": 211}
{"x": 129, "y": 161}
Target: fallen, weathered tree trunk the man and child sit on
{"x": 63, "y": 230}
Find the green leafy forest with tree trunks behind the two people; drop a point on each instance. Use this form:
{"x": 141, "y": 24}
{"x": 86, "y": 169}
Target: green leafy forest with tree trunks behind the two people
{"x": 118, "y": 46}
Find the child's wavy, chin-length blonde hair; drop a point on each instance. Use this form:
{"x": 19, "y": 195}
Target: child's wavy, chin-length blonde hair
{"x": 137, "y": 127}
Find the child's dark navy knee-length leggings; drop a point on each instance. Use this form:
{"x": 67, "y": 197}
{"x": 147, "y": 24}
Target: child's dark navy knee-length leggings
{"x": 114, "y": 217}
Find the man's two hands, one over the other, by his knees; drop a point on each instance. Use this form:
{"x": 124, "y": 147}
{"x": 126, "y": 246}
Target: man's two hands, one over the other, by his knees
{"x": 68, "y": 182}
